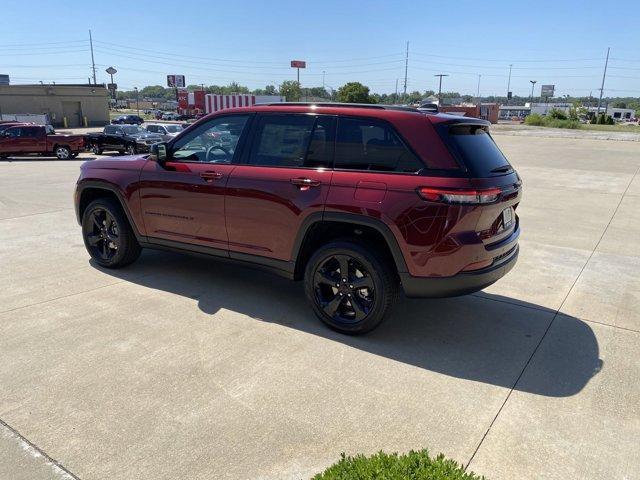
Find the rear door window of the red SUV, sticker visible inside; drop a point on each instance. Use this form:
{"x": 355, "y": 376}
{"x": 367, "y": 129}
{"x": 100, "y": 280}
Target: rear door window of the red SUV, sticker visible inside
{"x": 282, "y": 140}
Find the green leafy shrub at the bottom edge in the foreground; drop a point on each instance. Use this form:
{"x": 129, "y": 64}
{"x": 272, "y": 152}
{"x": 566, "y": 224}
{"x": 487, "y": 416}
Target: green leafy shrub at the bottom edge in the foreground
{"x": 383, "y": 466}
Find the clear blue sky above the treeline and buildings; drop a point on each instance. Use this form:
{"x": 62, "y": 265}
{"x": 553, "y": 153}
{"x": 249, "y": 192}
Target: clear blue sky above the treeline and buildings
{"x": 562, "y": 43}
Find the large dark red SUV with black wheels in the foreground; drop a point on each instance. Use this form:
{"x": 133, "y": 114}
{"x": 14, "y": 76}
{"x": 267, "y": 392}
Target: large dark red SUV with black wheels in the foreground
{"x": 355, "y": 200}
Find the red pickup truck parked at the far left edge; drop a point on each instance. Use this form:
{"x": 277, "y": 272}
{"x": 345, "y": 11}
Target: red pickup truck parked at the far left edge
{"x": 25, "y": 139}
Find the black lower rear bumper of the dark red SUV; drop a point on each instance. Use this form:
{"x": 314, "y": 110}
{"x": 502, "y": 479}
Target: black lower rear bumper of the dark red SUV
{"x": 460, "y": 284}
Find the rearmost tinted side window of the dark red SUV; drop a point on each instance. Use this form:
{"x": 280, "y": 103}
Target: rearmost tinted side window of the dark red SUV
{"x": 369, "y": 145}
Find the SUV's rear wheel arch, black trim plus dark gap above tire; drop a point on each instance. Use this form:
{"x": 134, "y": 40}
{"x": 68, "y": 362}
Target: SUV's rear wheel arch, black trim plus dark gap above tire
{"x": 322, "y": 227}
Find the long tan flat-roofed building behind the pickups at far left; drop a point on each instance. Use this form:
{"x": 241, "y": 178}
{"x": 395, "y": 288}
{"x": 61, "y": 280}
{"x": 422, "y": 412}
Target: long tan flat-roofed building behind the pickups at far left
{"x": 65, "y": 105}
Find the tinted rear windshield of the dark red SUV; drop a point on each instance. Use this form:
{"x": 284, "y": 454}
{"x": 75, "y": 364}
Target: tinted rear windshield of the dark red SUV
{"x": 478, "y": 151}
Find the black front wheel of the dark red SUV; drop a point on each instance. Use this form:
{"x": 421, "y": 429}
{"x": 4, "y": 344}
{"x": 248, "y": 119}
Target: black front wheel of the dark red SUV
{"x": 107, "y": 235}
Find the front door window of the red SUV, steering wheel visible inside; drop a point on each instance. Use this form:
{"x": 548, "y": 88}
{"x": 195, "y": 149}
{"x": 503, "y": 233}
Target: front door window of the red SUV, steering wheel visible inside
{"x": 213, "y": 142}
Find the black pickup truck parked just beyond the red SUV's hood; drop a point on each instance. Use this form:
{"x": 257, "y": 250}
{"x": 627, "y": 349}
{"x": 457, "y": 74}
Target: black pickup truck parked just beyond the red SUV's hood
{"x": 131, "y": 139}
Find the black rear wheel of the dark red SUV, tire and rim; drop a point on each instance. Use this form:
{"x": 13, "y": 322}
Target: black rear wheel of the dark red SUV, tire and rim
{"x": 359, "y": 304}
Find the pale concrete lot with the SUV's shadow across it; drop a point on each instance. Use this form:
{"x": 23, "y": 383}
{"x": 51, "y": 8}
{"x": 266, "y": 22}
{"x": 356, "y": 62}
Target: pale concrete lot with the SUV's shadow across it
{"x": 182, "y": 367}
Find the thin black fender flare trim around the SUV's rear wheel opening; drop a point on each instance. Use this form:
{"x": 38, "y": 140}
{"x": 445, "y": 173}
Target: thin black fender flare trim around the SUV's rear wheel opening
{"x": 351, "y": 219}
